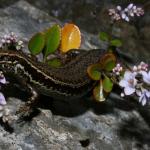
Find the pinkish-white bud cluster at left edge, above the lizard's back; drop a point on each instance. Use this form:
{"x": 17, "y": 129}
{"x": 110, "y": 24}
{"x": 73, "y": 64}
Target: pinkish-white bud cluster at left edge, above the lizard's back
{"x": 11, "y": 42}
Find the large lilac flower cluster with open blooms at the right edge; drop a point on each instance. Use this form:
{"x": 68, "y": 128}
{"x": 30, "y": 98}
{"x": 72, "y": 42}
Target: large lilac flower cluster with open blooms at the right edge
{"x": 137, "y": 81}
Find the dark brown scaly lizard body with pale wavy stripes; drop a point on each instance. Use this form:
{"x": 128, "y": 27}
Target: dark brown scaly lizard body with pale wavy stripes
{"x": 68, "y": 82}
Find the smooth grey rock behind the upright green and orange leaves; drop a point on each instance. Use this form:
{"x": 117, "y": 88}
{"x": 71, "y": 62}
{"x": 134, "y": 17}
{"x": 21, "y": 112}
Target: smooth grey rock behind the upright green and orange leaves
{"x": 33, "y": 20}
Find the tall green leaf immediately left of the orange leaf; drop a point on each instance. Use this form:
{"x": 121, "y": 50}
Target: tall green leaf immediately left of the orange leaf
{"x": 53, "y": 36}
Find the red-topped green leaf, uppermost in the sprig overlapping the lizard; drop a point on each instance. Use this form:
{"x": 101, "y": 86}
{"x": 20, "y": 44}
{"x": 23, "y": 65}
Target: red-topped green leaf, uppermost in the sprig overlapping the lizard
{"x": 108, "y": 61}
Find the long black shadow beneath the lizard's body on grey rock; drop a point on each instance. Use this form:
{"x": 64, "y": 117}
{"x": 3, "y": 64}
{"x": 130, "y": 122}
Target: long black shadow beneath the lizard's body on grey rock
{"x": 77, "y": 107}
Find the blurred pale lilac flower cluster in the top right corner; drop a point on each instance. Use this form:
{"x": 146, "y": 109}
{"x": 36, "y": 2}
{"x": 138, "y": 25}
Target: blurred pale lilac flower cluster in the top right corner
{"x": 125, "y": 14}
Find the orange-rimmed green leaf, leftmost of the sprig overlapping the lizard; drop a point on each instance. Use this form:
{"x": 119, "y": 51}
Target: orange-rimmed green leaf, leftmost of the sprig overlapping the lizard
{"x": 94, "y": 71}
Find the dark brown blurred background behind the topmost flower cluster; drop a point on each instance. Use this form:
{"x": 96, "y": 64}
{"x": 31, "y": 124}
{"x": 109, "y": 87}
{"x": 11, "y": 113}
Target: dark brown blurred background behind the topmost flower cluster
{"x": 92, "y": 16}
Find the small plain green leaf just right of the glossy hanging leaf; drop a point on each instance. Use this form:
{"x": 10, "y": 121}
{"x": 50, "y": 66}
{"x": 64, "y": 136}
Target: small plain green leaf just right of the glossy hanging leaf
{"x": 107, "y": 84}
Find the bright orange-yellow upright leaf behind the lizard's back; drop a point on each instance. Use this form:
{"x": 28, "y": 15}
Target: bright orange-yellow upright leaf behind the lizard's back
{"x": 70, "y": 38}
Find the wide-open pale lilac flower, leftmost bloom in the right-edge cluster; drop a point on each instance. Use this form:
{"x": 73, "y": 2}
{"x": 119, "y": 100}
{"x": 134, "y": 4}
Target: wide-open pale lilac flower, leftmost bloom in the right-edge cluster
{"x": 128, "y": 83}
